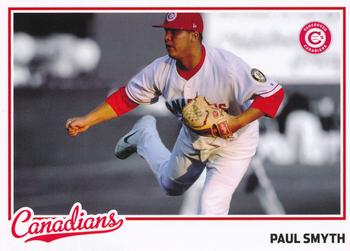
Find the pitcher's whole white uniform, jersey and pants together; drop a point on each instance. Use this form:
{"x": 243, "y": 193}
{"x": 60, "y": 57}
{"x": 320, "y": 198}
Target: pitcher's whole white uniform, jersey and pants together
{"x": 224, "y": 80}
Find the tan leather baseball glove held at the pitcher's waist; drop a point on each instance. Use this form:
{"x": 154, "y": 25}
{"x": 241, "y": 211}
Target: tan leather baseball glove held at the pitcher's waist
{"x": 206, "y": 119}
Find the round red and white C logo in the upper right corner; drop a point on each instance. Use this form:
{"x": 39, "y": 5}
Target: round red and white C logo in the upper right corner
{"x": 315, "y": 37}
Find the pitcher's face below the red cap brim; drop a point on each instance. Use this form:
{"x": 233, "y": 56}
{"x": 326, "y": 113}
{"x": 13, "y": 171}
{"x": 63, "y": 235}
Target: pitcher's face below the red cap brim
{"x": 177, "y": 43}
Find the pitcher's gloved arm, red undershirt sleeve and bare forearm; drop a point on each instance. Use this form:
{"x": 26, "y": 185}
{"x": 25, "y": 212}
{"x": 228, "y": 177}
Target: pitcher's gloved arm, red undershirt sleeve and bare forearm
{"x": 261, "y": 106}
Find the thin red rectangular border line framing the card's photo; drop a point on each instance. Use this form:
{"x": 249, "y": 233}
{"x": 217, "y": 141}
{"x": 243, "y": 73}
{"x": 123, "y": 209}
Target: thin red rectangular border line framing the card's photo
{"x": 343, "y": 9}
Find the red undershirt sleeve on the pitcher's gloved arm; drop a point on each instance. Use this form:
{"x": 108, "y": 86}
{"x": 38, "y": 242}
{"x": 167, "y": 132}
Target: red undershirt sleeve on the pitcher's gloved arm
{"x": 269, "y": 105}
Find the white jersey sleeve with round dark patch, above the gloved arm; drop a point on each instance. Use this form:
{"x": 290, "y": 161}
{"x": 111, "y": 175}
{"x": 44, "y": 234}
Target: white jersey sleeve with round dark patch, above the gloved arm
{"x": 250, "y": 82}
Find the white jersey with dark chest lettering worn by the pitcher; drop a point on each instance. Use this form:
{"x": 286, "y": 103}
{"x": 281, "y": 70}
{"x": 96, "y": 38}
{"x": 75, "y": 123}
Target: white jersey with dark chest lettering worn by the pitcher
{"x": 224, "y": 80}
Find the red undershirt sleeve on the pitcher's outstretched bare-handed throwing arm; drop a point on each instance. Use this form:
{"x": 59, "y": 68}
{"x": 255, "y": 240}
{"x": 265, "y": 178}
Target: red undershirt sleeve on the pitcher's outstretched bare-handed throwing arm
{"x": 120, "y": 102}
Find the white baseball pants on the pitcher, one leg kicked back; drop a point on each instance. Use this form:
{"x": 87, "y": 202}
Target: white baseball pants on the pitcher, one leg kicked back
{"x": 176, "y": 171}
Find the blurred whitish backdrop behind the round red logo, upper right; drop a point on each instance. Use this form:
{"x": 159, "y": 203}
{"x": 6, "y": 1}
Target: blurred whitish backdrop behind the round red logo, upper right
{"x": 270, "y": 42}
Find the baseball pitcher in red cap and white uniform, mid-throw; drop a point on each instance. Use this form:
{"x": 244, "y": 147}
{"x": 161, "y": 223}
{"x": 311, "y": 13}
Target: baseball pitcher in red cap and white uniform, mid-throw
{"x": 216, "y": 95}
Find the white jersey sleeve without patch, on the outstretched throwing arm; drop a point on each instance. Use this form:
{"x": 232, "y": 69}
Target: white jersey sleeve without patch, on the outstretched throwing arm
{"x": 144, "y": 87}
